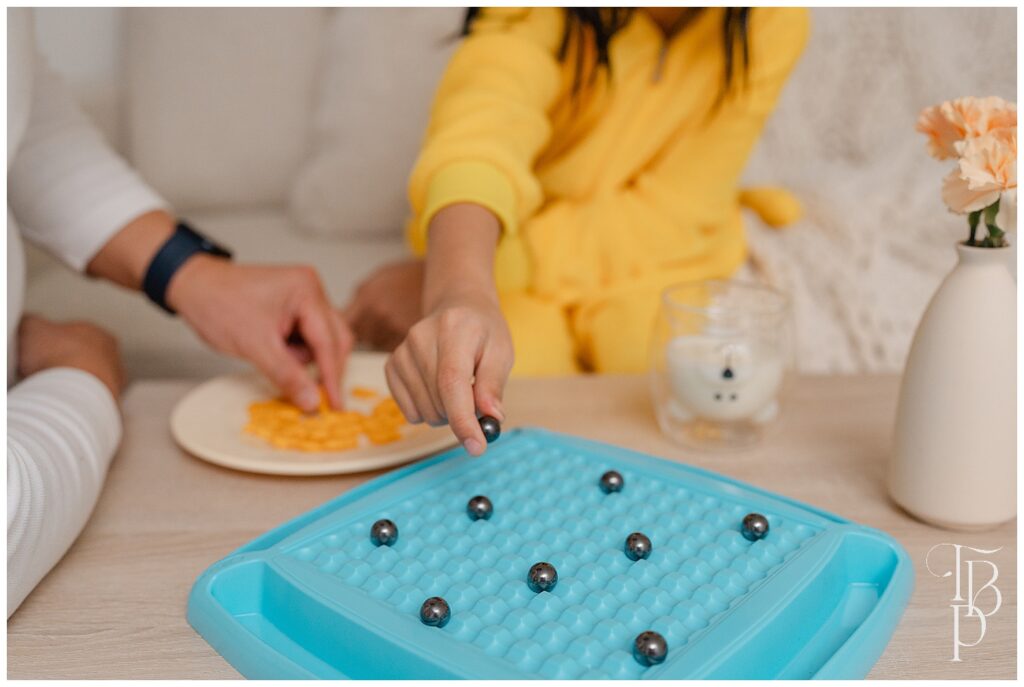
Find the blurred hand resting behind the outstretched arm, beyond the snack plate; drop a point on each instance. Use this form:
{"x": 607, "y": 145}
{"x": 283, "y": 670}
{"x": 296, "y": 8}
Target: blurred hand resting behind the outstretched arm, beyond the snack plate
{"x": 388, "y": 305}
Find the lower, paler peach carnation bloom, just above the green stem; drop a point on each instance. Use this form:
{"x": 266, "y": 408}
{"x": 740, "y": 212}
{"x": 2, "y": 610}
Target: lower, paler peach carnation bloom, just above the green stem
{"x": 988, "y": 167}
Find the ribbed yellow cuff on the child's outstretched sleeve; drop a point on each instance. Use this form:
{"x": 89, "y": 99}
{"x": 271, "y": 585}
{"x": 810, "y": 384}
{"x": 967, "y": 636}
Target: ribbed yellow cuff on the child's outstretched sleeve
{"x": 468, "y": 182}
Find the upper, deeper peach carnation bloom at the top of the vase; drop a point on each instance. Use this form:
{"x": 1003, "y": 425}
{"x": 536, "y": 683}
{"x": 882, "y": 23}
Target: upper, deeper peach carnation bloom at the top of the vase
{"x": 954, "y": 122}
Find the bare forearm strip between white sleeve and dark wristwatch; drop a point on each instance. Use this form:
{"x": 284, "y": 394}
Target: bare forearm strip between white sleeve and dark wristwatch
{"x": 125, "y": 257}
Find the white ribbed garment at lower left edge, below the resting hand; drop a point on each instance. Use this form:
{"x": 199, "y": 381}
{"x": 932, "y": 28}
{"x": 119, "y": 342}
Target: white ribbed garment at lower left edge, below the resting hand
{"x": 63, "y": 430}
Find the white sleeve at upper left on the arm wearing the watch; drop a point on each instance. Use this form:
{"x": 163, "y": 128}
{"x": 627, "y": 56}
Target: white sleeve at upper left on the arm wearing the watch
{"x": 69, "y": 191}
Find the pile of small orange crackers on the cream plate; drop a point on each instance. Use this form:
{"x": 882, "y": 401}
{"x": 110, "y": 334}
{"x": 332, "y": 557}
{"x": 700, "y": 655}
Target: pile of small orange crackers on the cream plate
{"x": 285, "y": 426}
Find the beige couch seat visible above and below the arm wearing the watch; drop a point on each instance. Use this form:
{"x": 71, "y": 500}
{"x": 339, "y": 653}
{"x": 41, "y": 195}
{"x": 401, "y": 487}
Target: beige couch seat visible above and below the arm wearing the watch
{"x": 157, "y": 346}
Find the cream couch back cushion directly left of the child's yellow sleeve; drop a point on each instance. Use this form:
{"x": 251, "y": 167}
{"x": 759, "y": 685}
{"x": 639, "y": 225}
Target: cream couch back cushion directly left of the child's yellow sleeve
{"x": 381, "y": 67}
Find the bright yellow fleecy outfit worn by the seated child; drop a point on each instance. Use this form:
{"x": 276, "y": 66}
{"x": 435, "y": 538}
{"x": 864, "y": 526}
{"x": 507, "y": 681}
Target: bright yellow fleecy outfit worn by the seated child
{"x": 610, "y": 193}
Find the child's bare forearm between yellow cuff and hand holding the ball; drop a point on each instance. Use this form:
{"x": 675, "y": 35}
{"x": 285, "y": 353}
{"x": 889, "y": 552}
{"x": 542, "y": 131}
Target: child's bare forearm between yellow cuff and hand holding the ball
{"x": 461, "y": 248}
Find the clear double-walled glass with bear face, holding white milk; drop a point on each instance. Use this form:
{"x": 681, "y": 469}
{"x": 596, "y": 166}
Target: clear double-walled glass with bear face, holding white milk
{"x": 719, "y": 356}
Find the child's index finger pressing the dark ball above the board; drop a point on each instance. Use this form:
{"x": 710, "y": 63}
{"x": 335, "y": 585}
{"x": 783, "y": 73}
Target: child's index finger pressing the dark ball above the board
{"x": 455, "y": 385}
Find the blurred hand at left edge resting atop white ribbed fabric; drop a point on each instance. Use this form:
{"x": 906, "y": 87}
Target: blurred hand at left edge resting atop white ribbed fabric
{"x": 44, "y": 345}
